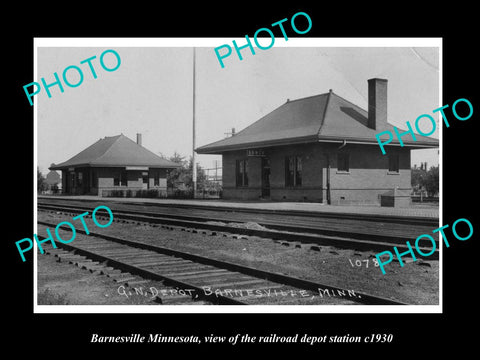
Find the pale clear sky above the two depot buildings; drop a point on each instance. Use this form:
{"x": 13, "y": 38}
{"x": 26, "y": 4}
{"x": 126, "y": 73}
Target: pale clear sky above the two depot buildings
{"x": 151, "y": 92}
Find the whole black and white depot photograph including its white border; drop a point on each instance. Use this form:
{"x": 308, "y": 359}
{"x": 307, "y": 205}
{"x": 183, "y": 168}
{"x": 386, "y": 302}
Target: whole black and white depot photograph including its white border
{"x": 199, "y": 184}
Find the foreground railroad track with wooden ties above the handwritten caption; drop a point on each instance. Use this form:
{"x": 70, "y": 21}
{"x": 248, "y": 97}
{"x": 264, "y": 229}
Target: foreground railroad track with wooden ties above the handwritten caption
{"x": 204, "y": 279}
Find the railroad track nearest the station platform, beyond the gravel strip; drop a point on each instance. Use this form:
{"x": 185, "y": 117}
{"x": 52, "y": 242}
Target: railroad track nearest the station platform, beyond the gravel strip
{"x": 341, "y": 239}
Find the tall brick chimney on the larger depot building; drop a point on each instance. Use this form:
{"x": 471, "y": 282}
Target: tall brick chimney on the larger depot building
{"x": 377, "y": 103}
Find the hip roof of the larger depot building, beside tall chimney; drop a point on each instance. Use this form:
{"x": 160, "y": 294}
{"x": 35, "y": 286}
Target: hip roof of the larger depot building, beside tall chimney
{"x": 319, "y": 118}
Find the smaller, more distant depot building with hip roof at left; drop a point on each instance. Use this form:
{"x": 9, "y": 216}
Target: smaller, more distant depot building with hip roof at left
{"x": 115, "y": 164}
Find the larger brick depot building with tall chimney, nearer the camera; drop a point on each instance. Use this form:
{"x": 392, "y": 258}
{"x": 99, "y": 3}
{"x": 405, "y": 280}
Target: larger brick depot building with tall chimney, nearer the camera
{"x": 320, "y": 148}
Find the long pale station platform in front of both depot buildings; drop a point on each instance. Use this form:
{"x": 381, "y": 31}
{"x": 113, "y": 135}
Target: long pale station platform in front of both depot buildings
{"x": 429, "y": 211}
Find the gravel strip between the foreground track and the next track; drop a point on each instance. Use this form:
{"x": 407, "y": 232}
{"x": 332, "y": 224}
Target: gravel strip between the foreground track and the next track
{"x": 415, "y": 283}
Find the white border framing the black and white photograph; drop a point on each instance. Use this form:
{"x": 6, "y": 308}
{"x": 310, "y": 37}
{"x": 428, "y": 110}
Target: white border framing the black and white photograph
{"x": 214, "y": 42}
